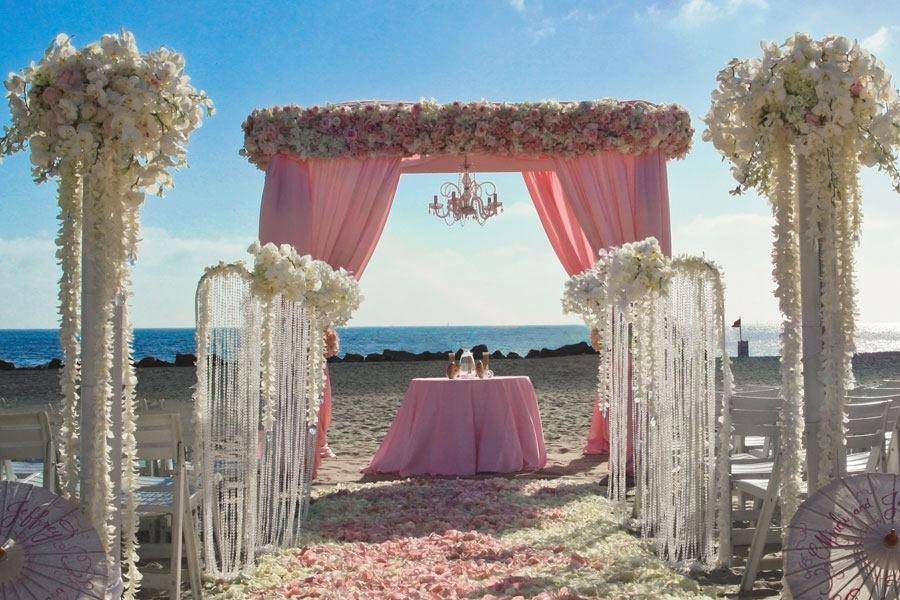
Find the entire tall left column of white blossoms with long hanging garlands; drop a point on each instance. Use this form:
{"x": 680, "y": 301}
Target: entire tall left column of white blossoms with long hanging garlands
{"x": 110, "y": 123}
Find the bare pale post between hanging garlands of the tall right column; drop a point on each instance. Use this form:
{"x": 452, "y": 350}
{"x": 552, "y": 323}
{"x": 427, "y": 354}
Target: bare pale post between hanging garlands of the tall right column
{"x": 810, "y": 300}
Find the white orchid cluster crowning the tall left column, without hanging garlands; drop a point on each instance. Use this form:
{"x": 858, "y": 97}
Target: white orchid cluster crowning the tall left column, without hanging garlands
{"x": 107, "y": 94}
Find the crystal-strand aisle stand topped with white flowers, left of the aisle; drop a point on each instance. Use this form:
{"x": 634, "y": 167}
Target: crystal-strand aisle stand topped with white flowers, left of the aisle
{"x": 271, "y": 324}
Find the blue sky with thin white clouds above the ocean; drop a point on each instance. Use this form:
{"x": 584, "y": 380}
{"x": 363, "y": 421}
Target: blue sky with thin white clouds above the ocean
{"x": 247, "y": 55}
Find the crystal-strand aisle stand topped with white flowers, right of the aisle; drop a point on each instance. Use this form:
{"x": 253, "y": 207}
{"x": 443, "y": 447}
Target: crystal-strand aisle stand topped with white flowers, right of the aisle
{"x": 653, "y": 316}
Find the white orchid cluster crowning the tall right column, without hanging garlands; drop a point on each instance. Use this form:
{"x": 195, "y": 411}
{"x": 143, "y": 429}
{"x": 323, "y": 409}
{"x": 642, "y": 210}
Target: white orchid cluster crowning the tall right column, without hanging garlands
{"x": 806, "y": 92}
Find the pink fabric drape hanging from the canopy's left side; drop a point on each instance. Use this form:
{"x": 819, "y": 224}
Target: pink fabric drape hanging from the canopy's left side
{"x": 334, "y": 210}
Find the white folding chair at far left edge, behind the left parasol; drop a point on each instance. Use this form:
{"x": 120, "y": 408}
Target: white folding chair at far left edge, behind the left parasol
{"x": 27, "y": 437}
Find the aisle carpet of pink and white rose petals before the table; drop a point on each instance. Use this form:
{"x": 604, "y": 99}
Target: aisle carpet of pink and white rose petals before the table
{"x": 489, "y": 539}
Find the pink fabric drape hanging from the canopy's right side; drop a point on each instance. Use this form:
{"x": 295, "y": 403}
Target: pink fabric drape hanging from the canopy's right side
{"x": 593, "y": 202}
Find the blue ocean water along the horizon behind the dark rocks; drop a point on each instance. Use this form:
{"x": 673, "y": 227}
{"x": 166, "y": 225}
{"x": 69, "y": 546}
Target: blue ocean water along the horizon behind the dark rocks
{"x": 28, "y": 347}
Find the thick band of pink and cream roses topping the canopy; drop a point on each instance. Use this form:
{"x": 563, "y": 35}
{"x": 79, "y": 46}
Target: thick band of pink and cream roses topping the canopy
{"x": 428, "y": 128}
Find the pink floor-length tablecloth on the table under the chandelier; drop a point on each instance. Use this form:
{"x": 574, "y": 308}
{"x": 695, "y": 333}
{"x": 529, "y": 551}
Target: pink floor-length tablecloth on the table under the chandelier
{"x": 463, "y": 427}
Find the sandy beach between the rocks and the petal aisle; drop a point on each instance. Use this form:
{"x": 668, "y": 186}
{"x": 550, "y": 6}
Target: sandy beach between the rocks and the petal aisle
{"x": 366, "y": 397}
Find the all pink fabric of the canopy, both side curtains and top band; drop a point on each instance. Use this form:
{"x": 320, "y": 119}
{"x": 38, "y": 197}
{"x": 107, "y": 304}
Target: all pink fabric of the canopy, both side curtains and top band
{"x": 335, "y": 209}
